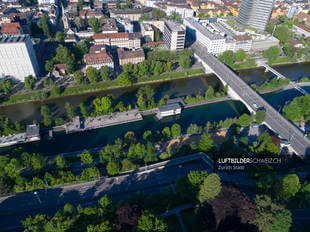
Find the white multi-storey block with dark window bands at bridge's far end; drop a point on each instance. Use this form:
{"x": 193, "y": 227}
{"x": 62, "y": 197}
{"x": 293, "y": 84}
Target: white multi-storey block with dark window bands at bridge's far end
{"x": 174, "y": 35}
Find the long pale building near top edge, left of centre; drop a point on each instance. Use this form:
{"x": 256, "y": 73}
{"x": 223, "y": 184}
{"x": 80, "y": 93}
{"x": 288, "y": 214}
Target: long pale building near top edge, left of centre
{"x": 132, "y": 14}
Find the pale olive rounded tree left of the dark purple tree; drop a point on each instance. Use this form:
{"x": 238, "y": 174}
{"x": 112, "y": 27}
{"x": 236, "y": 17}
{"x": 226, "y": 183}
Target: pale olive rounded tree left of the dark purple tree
{"x": 210, "y": 188}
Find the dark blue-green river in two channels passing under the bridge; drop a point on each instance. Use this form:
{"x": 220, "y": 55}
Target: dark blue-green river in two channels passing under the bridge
{"x": 26, "y": 112}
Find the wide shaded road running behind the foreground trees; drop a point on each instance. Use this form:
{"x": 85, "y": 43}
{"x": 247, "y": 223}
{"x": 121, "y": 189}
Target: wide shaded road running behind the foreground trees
{"x": 17, "y": 207}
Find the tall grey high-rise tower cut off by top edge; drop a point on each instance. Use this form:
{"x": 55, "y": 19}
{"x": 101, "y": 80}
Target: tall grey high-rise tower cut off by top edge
{"x": 255, "y": 13}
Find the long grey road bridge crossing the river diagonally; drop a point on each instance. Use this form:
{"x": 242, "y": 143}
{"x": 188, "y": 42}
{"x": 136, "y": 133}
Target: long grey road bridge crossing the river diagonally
{"x": 240, "y": 90}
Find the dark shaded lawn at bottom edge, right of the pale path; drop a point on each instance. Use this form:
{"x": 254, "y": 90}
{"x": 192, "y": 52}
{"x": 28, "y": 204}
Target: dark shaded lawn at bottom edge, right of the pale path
{"x": 193, "y": 221}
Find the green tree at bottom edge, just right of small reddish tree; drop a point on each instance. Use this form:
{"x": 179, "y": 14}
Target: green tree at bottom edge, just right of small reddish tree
{"x": 149, "y": 222}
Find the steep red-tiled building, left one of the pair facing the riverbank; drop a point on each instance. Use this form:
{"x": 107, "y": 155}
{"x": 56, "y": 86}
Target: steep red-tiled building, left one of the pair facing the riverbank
{"x": 98, "y": 57}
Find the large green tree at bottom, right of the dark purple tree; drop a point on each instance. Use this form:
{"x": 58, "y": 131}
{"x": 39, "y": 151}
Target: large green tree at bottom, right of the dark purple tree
{"x": 271, "y": 217}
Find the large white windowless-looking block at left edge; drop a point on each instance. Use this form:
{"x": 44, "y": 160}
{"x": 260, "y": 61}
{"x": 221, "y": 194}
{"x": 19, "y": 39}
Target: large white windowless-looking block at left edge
{"x": 17, "y": 57}
